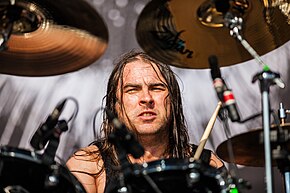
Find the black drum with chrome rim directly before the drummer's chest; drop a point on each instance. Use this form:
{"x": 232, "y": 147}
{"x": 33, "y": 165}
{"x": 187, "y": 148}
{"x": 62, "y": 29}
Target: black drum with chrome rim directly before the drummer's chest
{"x": 175, "y": 175}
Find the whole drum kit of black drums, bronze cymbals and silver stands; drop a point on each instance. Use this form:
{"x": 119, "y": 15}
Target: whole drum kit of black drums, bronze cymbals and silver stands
{"x": 44, "y": 37}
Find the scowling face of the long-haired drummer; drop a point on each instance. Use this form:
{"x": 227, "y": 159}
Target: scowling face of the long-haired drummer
{"x": 145, "y": 99}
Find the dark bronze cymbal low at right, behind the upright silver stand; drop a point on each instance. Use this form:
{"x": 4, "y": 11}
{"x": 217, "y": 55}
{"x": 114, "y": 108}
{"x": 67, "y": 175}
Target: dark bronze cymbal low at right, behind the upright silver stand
{"x": 248, "y": 148}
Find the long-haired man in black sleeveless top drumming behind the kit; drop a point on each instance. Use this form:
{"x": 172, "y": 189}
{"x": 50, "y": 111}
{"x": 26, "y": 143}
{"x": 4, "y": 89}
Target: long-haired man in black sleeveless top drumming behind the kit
{"x": 143, "y": 94}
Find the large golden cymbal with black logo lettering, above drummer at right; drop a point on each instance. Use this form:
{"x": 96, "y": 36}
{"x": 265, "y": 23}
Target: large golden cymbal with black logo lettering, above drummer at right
{"x": 186, "y": 34}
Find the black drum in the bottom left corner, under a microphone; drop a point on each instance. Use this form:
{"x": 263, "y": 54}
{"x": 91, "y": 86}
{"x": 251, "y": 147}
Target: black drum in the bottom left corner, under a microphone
{"x": 22, "y": 171}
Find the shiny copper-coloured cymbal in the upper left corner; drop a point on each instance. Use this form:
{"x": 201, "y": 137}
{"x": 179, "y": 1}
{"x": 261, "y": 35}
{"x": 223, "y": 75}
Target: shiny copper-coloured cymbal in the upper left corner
{"x": 51, "y": 37}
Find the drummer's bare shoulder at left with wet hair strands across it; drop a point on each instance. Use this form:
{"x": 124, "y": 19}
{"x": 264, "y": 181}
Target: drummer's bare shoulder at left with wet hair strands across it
{"x": 87, "y": 160}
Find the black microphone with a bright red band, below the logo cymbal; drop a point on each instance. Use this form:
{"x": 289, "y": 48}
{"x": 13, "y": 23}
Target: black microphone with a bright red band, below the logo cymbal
{"x": 224, "y": 94}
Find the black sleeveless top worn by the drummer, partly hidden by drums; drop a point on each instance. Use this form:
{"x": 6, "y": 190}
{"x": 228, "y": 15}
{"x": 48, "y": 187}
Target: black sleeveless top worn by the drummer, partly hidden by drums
{"x": 112, "y": 176}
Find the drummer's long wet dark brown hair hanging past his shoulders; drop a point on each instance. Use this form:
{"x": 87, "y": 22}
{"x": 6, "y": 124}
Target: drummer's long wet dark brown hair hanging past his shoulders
{"x": 179, "y": 146}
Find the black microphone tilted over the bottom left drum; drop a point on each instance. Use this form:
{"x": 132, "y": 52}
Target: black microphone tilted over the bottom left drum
{"x": 46, "y": 130}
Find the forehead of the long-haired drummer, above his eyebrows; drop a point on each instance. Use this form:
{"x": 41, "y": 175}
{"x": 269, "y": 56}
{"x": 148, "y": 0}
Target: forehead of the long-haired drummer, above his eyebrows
{"x": 140, "y": 70}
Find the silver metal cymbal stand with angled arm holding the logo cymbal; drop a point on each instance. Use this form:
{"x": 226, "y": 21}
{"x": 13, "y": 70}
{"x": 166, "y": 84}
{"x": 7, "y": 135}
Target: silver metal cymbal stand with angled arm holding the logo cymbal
{"x": 267, "y": 78}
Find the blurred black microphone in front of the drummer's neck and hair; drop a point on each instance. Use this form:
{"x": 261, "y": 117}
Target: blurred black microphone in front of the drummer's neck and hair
{"x": 125, "y": 137}
